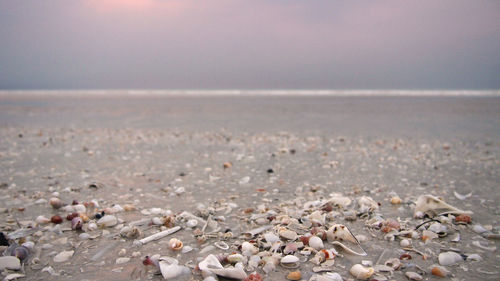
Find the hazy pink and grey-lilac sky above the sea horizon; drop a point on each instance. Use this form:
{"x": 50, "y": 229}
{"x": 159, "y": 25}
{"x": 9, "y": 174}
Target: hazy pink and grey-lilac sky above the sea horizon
{"x": 251, "y": 44}
